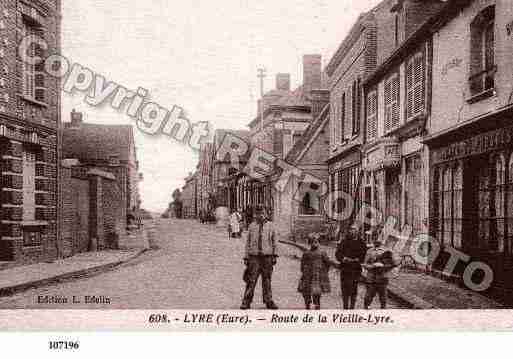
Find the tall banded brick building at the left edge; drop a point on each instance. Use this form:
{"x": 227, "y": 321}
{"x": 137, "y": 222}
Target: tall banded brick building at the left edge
{"x": 29, "y": 123}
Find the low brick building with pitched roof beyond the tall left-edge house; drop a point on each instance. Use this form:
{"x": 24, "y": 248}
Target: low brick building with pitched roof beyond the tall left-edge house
{"x": 106, "y": 155}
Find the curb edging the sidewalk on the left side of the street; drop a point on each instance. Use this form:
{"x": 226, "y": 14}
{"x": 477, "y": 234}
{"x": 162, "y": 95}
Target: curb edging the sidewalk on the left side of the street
{"x": 88, "y": 272}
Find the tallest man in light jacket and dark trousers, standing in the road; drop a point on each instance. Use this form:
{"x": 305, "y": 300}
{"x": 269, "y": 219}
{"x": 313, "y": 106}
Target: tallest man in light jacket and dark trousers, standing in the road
{"x": 260, "y": 258}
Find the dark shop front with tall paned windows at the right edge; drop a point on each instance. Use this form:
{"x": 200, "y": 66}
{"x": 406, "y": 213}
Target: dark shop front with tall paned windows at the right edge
{"x": 471, "y": 207}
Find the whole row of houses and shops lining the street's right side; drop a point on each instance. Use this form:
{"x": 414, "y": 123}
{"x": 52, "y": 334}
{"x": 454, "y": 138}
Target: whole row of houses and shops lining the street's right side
{"x": 412, "y": 115}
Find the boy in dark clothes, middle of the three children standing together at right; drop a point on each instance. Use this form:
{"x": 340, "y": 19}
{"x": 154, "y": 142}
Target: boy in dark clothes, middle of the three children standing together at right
{"x": 351, "y": 254}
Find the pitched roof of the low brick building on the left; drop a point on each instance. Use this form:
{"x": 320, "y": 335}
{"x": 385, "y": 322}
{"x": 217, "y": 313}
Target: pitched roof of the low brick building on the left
{"x": 97, "y": 142}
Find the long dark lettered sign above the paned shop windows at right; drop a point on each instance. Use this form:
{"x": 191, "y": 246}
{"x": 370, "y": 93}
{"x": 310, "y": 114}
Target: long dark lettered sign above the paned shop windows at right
{"x": 490, "y": 141}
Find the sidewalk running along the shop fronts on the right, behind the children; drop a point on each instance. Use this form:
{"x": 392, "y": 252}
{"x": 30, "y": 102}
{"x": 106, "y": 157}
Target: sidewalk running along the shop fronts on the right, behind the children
{"x": 418, "y": 290}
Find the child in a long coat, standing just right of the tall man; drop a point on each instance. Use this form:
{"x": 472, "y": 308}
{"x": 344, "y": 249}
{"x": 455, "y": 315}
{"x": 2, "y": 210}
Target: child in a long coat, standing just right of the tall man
{"x": 314, "y": 275}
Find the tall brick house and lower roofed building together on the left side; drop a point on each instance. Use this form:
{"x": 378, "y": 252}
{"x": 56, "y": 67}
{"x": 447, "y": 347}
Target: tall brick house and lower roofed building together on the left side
{"x": 64, "y": 189}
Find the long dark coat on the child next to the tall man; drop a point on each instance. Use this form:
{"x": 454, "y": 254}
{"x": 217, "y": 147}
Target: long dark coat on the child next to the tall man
{"x": 314, "y": 273}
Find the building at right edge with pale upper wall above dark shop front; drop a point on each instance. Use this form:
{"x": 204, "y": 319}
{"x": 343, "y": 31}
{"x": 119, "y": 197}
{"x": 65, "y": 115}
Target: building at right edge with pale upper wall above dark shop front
{"x": 470, "y": 136}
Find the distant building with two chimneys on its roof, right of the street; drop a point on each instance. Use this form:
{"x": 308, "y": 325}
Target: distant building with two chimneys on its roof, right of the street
{"x": 282, "y": 118}
